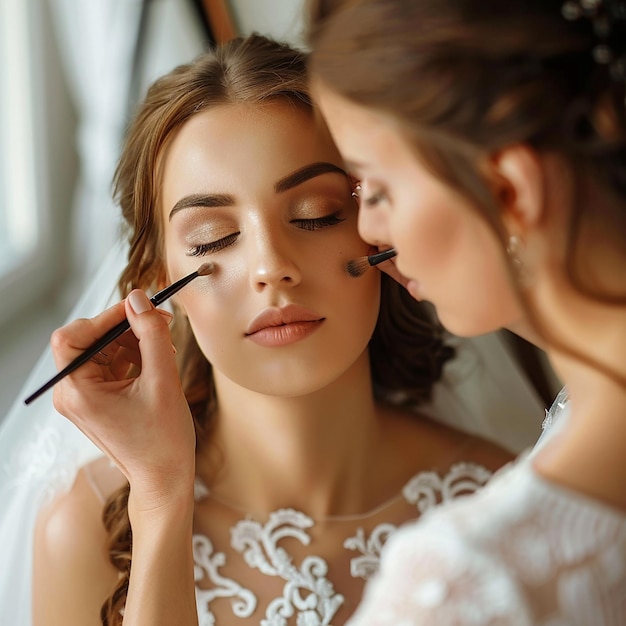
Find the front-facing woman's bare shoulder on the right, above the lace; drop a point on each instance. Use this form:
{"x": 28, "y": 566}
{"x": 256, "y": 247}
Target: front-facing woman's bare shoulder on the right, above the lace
{"x": 431, "y": 444}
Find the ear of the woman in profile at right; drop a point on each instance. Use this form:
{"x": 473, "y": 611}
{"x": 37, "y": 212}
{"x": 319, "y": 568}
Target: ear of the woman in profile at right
{"x": 519, "y": 187}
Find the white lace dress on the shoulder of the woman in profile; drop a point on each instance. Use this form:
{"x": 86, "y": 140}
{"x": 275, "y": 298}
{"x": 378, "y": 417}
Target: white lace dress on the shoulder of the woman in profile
{"x": 520, "y": 552}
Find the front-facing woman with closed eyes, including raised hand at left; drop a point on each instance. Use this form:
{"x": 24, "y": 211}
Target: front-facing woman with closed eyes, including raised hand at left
{"x": 263, "y": 444}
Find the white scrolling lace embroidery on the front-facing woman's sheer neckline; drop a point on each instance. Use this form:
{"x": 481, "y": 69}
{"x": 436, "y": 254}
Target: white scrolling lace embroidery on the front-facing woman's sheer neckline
{"x": 307, "y": 593}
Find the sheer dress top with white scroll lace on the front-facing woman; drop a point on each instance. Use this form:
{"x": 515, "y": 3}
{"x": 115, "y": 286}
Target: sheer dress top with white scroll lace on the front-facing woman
{"x": 285, "y": 570}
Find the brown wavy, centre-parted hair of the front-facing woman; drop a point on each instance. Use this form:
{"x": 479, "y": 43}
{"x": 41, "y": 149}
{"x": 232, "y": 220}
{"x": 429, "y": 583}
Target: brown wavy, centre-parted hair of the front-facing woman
{"x": 407, "y": 349}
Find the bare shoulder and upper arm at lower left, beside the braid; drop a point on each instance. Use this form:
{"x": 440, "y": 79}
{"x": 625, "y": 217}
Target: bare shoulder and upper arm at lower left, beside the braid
{"x": 71, "y": 572}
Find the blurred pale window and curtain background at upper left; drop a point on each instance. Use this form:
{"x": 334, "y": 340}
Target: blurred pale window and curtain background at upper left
{"x": 71, "y": 72}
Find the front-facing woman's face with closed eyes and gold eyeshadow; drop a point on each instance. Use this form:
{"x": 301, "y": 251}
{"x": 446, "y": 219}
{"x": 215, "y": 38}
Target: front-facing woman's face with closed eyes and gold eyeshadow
{"x": 259, "y": 192}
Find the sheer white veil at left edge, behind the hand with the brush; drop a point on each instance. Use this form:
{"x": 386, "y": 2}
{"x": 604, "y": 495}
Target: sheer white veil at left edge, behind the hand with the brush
{"x": 40, "y": 452}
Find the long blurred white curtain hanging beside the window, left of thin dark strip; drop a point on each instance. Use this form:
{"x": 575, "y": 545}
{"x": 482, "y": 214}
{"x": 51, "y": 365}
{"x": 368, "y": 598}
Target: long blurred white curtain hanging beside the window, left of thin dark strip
{"x": 96, "y": 40}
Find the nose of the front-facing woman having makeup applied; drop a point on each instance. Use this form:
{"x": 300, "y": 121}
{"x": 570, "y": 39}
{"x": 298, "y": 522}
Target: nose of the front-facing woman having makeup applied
{"x": 272, "y": 264}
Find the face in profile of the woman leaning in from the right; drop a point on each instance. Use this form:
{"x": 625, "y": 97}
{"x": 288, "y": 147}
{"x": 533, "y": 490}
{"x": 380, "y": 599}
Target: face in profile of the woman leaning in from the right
{"x": 445, "y": 248}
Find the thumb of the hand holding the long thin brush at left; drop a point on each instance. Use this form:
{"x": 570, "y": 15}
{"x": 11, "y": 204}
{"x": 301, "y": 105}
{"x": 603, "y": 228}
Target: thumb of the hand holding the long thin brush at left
{"x": 153, "y": 335}
